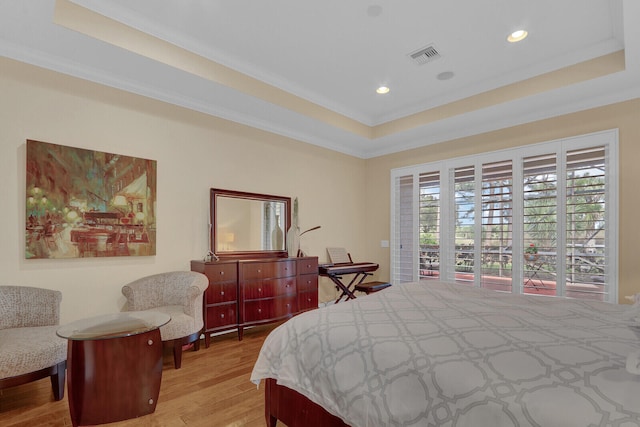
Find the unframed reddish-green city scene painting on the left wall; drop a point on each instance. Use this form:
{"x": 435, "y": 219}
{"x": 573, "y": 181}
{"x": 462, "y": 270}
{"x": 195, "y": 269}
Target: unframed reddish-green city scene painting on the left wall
{"x": 84, "y": 203}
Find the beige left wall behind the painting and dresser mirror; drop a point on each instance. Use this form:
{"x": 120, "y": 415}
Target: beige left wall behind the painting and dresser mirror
{"x": 194, "y": 152}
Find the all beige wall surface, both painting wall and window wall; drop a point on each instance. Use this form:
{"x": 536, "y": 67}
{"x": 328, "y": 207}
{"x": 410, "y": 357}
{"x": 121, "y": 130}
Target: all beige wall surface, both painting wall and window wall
{"x": 348, "y": 197}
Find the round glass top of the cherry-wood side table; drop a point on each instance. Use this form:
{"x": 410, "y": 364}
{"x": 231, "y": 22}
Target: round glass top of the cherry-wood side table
{"x": 114, "y": 325}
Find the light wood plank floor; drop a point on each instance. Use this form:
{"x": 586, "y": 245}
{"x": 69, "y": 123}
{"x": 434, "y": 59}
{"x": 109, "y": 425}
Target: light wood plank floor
{"x": 211, "y": 389}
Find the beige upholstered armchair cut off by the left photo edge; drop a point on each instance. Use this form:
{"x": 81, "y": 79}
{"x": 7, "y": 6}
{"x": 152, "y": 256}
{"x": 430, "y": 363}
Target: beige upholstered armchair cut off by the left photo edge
{"x": 29, "y": 347}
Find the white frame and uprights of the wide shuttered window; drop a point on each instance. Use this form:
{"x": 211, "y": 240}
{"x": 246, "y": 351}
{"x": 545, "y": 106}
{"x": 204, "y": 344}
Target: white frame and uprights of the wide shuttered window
{"x": 607, "y": 139}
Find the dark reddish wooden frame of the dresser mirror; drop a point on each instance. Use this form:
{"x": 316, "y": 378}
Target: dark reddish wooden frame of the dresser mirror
{"x": 216, "y": 192}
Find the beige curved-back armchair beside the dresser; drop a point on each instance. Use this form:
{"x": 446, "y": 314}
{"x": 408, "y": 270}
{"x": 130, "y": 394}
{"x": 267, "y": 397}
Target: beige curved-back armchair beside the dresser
{"x": 177, "y": 293}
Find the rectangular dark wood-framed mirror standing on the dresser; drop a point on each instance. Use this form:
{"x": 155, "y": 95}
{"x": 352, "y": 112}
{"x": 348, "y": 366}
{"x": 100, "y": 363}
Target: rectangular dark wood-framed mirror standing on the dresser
{"x": 249, "y": 224}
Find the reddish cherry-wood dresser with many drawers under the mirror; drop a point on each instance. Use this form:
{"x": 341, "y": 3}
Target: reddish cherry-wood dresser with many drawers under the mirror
{"x": 247, "y": 292}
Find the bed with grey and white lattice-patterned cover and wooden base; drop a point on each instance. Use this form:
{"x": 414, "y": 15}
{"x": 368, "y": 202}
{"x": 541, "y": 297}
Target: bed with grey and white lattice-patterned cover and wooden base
{"x": 438, "y": 354}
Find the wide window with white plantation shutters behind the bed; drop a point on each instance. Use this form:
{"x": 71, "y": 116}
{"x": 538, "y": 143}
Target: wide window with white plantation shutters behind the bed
{"x": 538, "y": 219}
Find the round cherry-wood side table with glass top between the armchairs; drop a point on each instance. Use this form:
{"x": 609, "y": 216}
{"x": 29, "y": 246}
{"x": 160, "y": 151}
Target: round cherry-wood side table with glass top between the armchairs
{"x": 114, "y": 366}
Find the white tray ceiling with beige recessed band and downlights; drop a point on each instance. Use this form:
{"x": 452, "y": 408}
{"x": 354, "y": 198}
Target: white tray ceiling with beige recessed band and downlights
{"x": 309, "y": 70}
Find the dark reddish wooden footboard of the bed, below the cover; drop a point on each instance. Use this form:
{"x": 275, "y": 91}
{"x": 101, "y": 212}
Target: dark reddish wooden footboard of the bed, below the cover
{"x": 293, "y": 409}
